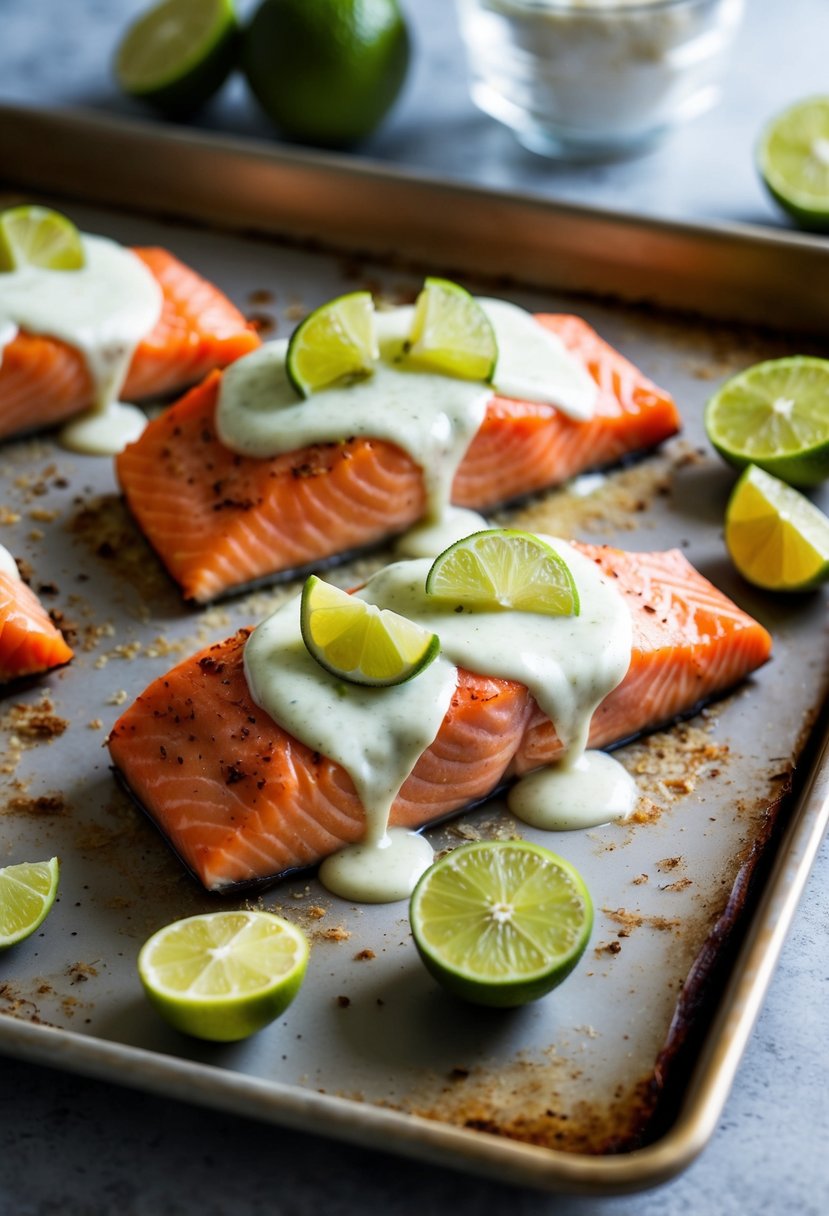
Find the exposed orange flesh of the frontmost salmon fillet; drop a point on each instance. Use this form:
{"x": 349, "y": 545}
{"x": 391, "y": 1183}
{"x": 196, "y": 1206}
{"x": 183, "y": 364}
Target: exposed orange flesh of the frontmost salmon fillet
{"x": 245, "y": 803}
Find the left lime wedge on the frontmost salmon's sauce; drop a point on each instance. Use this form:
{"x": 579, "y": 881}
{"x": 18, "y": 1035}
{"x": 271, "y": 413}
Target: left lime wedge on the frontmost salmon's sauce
{"x": 360, "y": 643}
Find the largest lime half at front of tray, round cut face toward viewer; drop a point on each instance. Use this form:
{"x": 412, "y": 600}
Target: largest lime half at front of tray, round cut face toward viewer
{"x": 501, "y": 922}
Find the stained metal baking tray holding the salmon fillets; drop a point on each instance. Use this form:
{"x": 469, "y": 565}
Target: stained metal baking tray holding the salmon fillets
{"x": 616, "y": 1080}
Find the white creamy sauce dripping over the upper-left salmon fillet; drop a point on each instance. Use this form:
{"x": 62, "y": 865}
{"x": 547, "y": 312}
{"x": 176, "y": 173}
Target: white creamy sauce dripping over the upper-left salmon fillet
{"x": 104, "y": 311}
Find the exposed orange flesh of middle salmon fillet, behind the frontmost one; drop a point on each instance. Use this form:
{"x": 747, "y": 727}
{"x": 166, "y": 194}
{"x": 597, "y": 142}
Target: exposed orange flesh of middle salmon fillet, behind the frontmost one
{"x": 221, "y": 522}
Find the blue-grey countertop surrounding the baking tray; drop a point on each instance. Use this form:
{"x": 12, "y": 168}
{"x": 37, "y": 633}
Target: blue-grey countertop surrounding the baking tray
{"x": 70, "y": 1146}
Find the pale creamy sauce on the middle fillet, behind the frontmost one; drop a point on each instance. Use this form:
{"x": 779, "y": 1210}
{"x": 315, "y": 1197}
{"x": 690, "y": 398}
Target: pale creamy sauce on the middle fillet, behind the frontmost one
{"x": 432, "y": 416}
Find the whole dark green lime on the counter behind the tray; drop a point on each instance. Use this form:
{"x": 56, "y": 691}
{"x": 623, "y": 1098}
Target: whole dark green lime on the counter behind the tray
{"x": 326, "y": 71}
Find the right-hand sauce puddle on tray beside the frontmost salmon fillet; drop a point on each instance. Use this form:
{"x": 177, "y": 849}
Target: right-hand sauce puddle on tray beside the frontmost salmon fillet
{"x": 591, "y": 791}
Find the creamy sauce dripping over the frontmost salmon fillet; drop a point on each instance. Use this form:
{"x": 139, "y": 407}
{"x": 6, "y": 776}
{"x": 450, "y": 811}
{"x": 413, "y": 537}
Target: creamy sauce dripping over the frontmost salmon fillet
{"x": 568, "y": 663}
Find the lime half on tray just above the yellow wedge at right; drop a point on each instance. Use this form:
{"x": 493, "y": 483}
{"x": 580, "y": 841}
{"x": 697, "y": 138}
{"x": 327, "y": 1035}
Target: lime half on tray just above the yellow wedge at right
{"x": 776, "y": 415}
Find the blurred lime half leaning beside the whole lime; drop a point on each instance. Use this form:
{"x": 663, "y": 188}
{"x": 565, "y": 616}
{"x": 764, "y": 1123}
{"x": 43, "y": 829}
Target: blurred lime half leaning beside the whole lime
{"x": 178, "y": 54}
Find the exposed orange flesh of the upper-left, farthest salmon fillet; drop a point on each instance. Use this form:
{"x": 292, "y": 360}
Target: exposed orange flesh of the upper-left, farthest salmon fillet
{"x": 44, "y": 381}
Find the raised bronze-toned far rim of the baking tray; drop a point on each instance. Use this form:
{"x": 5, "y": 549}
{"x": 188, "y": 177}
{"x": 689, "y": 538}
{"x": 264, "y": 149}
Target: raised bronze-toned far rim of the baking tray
{"x": 724, "y": 271}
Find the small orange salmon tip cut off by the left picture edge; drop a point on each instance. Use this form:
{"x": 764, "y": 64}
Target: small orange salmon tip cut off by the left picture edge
{"x": 30, "y": 643}
